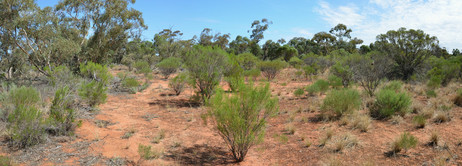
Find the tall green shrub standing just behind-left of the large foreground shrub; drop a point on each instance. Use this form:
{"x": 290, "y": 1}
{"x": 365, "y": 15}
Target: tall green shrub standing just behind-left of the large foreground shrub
{"x": 206, "y": 66}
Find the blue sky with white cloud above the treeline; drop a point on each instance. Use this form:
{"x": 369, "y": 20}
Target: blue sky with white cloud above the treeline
{"x": 302, "y": 18}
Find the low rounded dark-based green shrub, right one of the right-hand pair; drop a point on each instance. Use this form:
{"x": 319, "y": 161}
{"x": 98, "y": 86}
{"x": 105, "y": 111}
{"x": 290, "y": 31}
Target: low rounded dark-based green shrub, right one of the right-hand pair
{"x": 389, "y": 102}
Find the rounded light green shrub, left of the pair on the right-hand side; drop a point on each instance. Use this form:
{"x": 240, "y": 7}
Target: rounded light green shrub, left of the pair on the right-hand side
{"x": 340, "y": 102}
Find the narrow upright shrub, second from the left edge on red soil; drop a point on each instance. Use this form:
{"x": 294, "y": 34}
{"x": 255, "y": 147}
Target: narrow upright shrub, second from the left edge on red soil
{"x": 62, "y": 115}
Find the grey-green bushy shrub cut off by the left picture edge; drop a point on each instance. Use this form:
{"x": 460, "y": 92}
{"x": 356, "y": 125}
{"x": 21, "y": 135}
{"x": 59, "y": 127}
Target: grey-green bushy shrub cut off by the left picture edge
{"x": 24, "y": 126}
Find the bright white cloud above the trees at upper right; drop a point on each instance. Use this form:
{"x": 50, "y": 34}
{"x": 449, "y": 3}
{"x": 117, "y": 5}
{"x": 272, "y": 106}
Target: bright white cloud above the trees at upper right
{"x": 441, "y": 18}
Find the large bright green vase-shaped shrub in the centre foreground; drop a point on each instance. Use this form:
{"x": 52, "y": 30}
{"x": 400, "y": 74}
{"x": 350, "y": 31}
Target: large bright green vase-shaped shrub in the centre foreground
{"x": 241, "y": 118}
